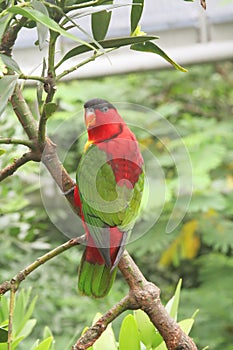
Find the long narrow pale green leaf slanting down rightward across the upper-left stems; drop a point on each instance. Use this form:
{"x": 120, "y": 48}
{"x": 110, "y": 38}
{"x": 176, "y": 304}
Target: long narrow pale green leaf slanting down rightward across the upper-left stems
{"x": 47, "y": 21}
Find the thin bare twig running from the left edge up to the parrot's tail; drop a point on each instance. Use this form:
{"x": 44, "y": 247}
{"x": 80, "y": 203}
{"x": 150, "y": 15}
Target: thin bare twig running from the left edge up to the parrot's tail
{"x": 7, "y": 285}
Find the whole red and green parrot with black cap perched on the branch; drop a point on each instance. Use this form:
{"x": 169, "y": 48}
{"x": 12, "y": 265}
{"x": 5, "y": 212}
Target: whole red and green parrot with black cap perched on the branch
{"x": 108, "y": 192}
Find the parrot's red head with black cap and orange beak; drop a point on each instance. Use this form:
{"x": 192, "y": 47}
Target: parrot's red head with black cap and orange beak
{"x": 102, "y": 120}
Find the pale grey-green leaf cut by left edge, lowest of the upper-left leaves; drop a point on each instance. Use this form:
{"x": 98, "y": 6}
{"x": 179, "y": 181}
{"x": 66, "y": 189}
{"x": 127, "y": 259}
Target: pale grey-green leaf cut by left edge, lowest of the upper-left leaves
{"x": 7, "y": 85}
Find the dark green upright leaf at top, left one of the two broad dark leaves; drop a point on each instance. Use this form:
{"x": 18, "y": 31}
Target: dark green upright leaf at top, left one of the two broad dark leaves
{"x": 99, "y": 24}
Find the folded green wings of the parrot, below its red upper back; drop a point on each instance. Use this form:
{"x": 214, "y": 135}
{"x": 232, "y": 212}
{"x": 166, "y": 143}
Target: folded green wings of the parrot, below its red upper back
{"x": 104, "y": 203}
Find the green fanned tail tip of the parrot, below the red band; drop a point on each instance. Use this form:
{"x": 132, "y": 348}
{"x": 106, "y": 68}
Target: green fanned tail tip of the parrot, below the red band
{"x": 94, "y": 279}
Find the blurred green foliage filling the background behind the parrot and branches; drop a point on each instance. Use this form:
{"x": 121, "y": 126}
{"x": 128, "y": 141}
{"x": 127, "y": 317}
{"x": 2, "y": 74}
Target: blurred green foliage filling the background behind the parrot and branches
{"x": 199, "y": 104}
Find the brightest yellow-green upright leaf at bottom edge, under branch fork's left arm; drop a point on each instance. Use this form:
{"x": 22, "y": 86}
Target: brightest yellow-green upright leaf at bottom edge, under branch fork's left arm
{"x": 129, "y": 336}
